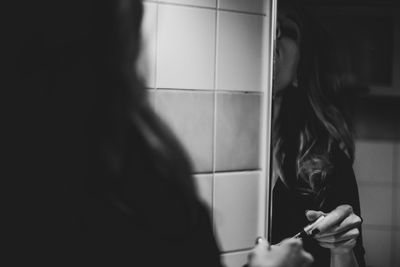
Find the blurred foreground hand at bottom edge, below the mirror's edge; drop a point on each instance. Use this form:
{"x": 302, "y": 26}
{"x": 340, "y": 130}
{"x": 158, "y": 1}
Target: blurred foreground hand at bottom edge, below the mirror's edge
{"x": 289, "y": 253}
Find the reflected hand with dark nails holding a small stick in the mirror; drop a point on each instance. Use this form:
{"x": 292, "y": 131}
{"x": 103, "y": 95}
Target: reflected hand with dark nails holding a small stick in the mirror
{"x": 338, "y": 230}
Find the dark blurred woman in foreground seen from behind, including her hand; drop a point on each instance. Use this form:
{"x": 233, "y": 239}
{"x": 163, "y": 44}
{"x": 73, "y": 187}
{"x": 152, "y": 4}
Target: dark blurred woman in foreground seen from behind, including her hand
{"x": 112, "y": 186}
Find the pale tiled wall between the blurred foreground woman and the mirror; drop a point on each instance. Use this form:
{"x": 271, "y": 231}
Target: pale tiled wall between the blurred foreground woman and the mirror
{"x": 203, "y": 63}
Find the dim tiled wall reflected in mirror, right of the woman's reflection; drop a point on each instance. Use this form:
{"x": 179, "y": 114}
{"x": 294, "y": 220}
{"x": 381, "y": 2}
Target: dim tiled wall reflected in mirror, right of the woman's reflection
{"x": 377, "y": 169}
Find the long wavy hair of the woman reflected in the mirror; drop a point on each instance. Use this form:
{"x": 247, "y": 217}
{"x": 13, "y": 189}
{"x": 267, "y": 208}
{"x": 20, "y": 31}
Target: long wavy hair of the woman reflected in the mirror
{"x": 310, "y": 124}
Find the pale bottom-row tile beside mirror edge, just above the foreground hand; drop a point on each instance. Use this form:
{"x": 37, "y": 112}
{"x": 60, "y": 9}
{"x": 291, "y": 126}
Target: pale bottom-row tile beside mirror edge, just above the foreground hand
{"x": 236, "y": 215}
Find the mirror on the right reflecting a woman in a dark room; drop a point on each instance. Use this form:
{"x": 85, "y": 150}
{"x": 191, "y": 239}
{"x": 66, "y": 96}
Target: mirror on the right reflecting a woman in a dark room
{"x": 336, "y": 126}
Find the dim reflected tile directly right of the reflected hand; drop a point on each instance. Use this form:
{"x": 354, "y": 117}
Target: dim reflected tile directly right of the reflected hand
{"x": 376, "y": 205}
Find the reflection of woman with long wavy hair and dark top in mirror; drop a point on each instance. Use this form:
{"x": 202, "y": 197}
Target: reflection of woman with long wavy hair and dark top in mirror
{"x": 313, "y": 147}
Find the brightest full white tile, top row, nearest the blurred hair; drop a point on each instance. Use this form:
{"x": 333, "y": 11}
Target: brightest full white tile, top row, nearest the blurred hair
{"x": 186, "y": 47}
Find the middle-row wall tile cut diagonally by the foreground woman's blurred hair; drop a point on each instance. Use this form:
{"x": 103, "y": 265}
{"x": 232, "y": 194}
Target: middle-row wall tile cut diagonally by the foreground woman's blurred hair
{"x": 190, "y": 114}
